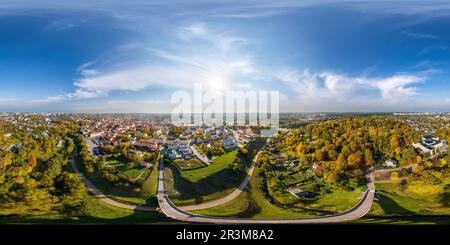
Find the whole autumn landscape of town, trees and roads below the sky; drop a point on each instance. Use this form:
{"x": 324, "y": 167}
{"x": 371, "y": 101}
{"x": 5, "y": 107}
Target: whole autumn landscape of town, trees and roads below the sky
{"x": 376, "y": 165}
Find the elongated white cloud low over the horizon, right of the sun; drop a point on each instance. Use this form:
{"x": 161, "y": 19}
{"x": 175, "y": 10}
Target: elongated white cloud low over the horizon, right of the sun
{"x": 332, "y": 90}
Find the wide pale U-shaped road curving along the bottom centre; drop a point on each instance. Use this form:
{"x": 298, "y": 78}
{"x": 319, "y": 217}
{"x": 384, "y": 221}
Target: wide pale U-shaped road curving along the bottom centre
{"x": 172, "y": 211}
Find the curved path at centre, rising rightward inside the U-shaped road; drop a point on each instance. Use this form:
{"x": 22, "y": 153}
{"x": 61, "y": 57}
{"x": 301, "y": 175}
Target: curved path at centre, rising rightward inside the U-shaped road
{"x": 229, "y": 197}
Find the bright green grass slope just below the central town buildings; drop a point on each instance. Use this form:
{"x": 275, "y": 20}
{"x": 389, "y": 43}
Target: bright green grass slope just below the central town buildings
{"x": 218, "y": 164}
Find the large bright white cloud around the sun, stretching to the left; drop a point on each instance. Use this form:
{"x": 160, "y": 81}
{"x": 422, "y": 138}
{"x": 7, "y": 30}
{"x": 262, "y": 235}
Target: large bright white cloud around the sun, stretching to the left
{"x": 216, "y": 68}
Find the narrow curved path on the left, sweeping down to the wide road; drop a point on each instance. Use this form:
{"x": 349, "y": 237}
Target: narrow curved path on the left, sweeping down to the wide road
{"x": 97, "y": 193}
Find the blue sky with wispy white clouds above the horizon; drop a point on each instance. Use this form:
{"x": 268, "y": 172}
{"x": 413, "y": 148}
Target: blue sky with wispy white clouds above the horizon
{"x": 130, "y": 56}
